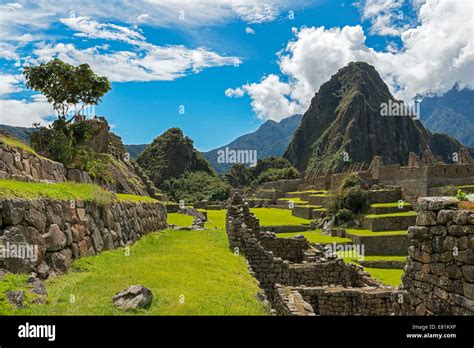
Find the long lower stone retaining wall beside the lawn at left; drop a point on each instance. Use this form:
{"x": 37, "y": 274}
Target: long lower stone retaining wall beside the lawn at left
{"x": 60, "y": 231}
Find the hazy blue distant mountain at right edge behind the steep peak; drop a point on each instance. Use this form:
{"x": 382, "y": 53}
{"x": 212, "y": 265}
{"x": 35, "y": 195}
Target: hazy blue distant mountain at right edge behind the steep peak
{"x": 452, "y": 113}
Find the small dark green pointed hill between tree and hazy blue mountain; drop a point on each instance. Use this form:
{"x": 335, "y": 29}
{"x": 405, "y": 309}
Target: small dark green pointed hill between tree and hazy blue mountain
{"x": 171, "y": 155}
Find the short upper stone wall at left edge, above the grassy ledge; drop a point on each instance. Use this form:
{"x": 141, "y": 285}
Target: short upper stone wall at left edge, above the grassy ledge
{"x": 19, "y": 164}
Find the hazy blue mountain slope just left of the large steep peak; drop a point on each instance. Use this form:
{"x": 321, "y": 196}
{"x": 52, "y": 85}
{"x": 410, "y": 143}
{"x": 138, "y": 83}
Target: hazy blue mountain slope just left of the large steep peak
{"x": 270, "y": 139}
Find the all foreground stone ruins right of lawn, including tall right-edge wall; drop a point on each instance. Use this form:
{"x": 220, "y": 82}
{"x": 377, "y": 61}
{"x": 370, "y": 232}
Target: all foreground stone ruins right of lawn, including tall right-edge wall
{"x": 299, "y": 279}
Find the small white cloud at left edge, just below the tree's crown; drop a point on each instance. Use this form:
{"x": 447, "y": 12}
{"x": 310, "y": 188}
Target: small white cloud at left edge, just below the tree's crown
{"x": 24, "y": 113}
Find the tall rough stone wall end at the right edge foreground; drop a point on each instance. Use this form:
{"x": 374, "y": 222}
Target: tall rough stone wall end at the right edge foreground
{"x": 439, "y": 275}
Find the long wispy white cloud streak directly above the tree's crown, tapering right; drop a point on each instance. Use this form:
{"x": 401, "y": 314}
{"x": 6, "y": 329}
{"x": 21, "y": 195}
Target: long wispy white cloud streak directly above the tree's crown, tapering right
{"x": 151, "y": 63}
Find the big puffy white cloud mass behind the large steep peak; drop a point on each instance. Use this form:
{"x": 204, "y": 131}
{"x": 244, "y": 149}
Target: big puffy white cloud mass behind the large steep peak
{"x": 435, "y": 55}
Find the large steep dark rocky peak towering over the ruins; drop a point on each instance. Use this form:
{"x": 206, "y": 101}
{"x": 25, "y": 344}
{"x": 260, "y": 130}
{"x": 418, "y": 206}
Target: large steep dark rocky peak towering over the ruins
{"x": 344, "y": 124}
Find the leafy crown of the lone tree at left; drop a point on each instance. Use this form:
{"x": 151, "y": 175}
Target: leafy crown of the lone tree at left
{"x": 65, "y": 85}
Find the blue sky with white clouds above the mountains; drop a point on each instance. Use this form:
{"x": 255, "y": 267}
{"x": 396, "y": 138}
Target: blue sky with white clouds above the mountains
{"x": 219, "y": 69}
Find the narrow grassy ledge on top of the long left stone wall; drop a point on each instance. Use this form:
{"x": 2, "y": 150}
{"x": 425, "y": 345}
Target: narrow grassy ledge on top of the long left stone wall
{"x": 64, "y": 191}
